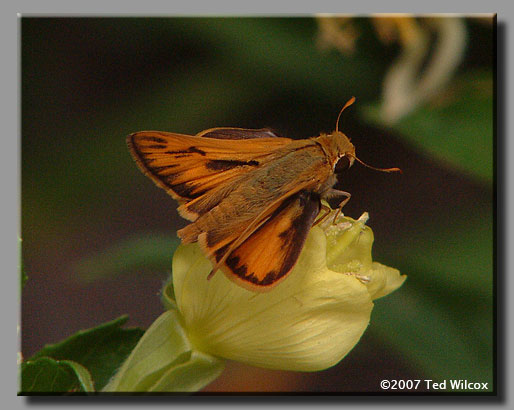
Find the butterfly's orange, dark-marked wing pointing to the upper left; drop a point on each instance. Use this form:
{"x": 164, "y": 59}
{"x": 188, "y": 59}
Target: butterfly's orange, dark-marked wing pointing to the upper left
{"x": 188, "y": 167}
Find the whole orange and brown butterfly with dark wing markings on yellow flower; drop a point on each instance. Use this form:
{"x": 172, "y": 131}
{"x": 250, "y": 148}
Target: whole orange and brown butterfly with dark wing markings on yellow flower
{"x": 251, "y": 196}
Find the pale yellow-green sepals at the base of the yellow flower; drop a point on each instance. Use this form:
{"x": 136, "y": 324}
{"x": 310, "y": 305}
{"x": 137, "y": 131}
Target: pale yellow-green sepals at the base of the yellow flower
{"x": 165, "y": 361}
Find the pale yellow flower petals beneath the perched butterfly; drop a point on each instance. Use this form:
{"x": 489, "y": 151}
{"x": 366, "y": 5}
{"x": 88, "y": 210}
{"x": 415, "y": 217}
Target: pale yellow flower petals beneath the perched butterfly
{"x": 308, "y": 322}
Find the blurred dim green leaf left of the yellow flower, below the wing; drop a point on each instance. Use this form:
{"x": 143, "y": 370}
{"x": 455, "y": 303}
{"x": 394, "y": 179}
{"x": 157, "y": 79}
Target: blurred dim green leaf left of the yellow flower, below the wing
{"x": 145, "y": 253}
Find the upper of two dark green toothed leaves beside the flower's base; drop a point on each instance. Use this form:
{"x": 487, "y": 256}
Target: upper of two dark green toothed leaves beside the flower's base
{"x": 101, "y": 349}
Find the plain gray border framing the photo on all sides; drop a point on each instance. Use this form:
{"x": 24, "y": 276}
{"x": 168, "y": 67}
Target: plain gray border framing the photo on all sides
{"x": 10, "y": 162}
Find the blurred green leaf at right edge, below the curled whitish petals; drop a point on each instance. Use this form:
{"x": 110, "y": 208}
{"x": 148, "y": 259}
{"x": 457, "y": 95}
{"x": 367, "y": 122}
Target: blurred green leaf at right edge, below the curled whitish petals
{"x": 457, "y": 128}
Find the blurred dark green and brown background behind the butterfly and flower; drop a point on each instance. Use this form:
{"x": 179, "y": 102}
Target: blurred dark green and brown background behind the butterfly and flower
{"x": 98, "y": 235}
